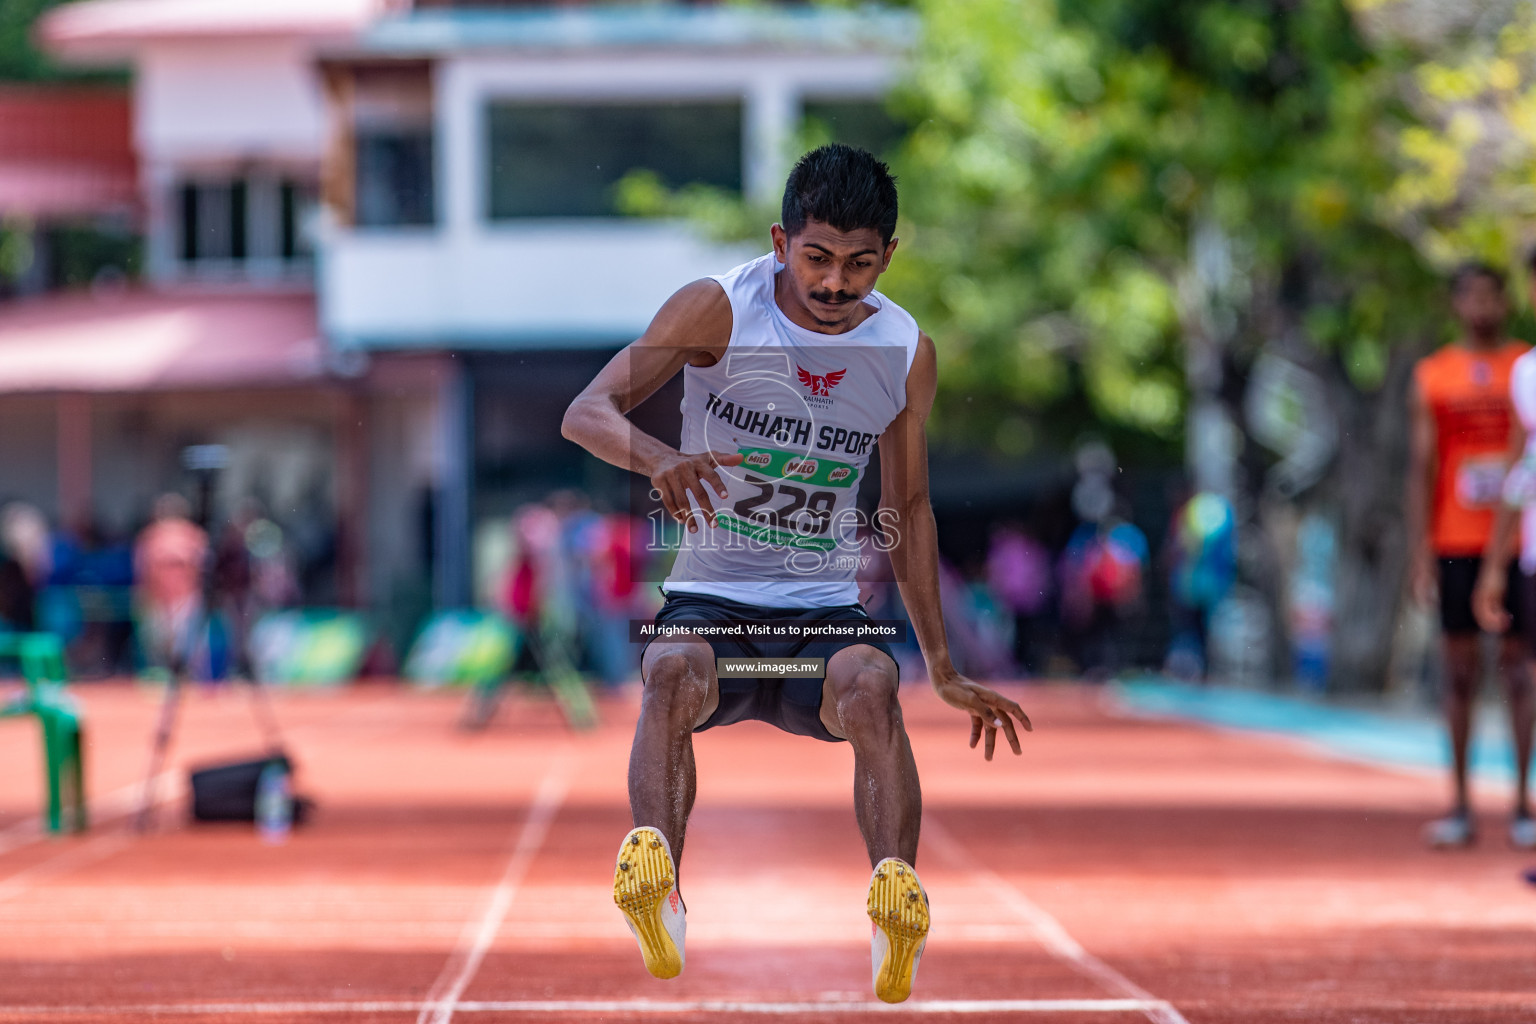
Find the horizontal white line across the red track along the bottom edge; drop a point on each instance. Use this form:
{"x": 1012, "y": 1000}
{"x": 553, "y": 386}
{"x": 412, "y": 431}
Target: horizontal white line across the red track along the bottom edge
{"x": 938, "y": 1008}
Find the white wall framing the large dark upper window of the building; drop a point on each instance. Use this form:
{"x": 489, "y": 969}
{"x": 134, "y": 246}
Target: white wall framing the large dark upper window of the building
{"x": 503, "y": 283}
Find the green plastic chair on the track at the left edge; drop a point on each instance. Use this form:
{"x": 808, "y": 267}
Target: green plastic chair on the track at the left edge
{"x": 42, "y": 662}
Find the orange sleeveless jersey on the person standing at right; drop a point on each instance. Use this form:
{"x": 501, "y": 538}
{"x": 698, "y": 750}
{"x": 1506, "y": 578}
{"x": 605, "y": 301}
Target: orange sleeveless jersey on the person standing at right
{"x": 1469, "y": 397}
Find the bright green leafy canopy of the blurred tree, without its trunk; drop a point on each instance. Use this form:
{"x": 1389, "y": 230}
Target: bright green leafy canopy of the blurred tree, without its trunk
{"x": 1065, "y": 160}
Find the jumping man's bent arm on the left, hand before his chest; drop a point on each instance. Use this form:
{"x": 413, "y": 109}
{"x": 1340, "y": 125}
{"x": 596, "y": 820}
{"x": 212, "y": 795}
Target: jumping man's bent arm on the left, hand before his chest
{"x": 694, "y": 326}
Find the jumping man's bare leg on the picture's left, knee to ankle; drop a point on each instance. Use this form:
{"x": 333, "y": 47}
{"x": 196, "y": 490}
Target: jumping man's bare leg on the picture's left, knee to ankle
{"x": 681, "y": 692}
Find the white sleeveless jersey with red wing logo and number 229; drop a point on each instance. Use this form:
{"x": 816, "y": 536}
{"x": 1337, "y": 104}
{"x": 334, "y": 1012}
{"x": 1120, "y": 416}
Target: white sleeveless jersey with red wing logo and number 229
{"x": 806, "y": 411}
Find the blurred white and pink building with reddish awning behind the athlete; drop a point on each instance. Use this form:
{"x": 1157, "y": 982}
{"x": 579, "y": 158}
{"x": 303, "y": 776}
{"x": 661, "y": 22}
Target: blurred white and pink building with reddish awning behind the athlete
{"x": 383, "y": 246}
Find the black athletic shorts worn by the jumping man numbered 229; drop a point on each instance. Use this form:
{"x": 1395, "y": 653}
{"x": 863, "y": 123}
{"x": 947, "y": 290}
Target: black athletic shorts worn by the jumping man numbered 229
{"x": 793, "y": 705}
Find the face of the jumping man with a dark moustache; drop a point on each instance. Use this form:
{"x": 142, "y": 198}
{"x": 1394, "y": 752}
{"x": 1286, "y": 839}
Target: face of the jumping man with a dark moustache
{"x": 829, "y": 274}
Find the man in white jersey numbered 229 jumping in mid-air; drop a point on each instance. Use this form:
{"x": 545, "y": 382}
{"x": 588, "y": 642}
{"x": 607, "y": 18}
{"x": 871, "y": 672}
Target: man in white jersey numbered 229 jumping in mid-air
{"x": 793, "y": 369}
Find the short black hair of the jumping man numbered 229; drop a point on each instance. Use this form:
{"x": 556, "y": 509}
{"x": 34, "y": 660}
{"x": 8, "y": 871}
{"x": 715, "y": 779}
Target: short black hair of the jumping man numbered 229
{"x": 841, "y": 187}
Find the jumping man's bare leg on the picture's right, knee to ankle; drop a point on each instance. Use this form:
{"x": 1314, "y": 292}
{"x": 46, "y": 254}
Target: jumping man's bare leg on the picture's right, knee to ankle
{"x": 859, "y": 704}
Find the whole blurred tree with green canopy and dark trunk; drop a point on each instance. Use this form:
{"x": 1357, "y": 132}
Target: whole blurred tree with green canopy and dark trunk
{"x": 1122, "y": 210}
